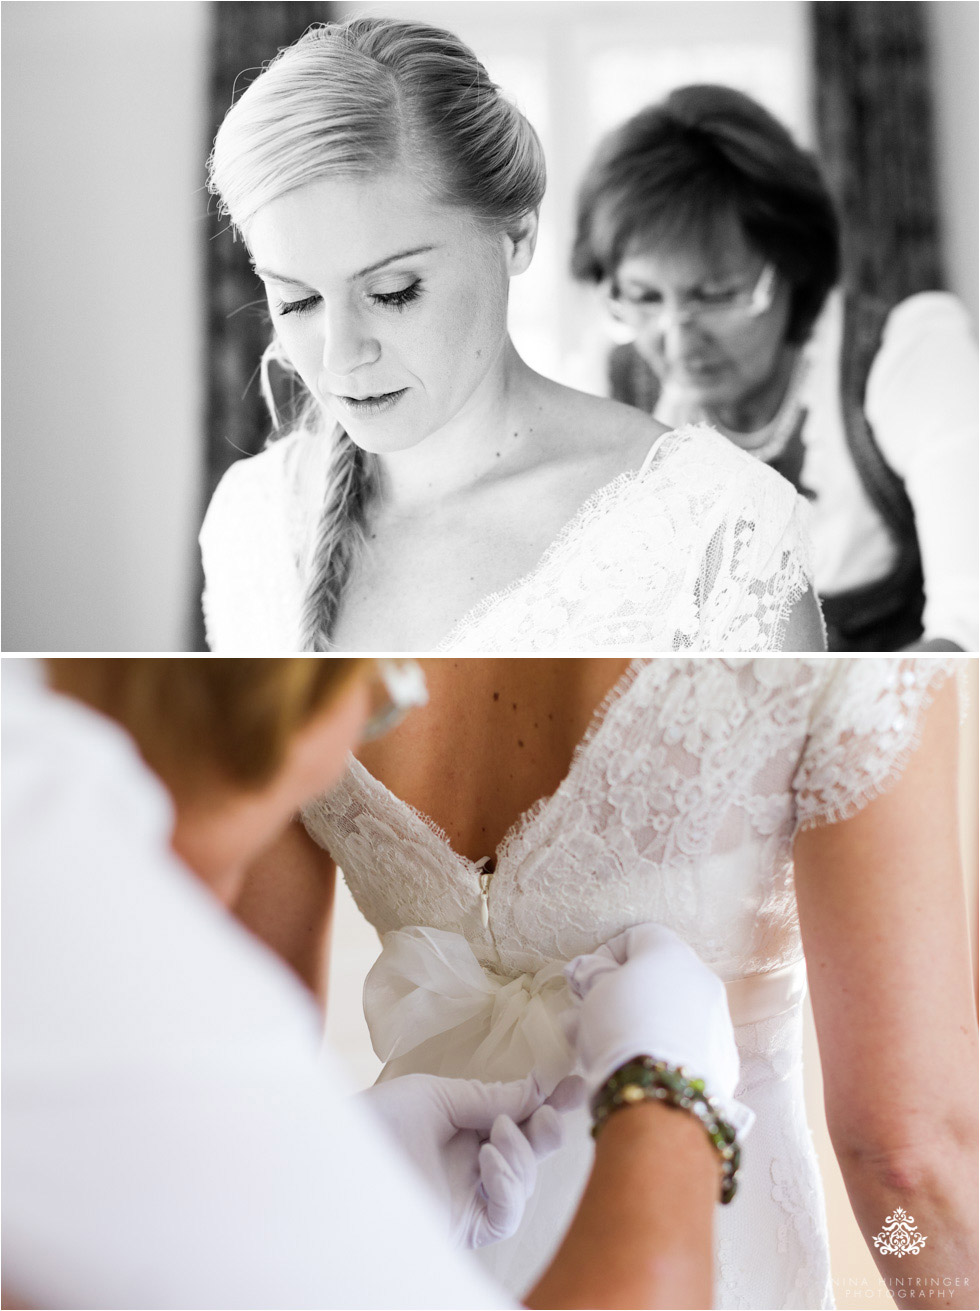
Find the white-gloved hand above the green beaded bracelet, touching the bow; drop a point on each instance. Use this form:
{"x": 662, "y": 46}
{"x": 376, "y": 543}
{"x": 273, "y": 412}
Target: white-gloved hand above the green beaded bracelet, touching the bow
{"x": 647, "y": 993}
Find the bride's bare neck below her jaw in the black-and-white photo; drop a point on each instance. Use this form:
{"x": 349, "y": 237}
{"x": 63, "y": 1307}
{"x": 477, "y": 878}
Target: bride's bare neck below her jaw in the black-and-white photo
{"x": 483, "y": 440}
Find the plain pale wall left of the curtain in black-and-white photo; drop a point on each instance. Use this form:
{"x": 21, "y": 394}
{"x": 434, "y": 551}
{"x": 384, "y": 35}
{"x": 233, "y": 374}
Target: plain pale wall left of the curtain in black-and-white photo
{"x": 104, "y": 149}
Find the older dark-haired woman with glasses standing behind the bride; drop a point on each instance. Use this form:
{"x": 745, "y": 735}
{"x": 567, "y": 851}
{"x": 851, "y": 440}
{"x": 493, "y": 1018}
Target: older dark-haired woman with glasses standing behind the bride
{"x": 716, "y": 243}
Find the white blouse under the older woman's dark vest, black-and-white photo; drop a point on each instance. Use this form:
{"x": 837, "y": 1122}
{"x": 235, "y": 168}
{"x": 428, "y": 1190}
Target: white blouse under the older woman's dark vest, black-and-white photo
{"x": 922, "y": 403}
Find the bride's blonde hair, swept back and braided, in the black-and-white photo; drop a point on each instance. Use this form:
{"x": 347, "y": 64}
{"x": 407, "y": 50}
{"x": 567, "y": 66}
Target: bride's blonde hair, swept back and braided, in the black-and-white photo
{"x": 353, "y": 100}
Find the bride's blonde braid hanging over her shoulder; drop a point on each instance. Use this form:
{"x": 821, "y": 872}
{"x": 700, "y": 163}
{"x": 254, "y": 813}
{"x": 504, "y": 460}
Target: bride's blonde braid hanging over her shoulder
{"x": 350, "y": 484}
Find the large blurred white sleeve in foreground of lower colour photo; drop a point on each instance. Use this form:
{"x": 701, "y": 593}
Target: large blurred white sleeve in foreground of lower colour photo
{"x": 172, "y": 1135}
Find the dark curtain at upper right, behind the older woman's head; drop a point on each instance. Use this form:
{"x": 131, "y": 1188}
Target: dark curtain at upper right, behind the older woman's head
{"x": 875, "y": 127}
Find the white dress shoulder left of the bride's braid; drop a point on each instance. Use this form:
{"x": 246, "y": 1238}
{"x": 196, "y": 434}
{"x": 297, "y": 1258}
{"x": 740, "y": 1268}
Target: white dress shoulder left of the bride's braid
{"x": 251, "y": 575}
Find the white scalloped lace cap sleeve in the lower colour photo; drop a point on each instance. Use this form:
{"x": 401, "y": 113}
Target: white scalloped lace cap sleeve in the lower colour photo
{"x": 865, "y": 724}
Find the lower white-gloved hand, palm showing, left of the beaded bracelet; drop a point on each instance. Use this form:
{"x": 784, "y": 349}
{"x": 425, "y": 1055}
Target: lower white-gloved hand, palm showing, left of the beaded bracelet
{"x": 478, "y": 1144}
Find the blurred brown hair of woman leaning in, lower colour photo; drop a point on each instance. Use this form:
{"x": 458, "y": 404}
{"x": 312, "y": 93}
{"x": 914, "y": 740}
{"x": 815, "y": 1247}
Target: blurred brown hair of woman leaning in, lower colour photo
{"x": 198, "y": 722}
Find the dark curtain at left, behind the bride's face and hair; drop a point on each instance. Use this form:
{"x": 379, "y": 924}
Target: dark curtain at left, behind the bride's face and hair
{"x": 243, "y": 37}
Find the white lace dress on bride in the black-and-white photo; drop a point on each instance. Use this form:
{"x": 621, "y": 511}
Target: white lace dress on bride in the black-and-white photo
{"x": 703, "y": 549}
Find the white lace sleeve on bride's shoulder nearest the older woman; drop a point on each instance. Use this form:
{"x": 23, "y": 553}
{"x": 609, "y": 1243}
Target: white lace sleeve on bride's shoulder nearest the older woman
{"x": 759, "y": 560}
